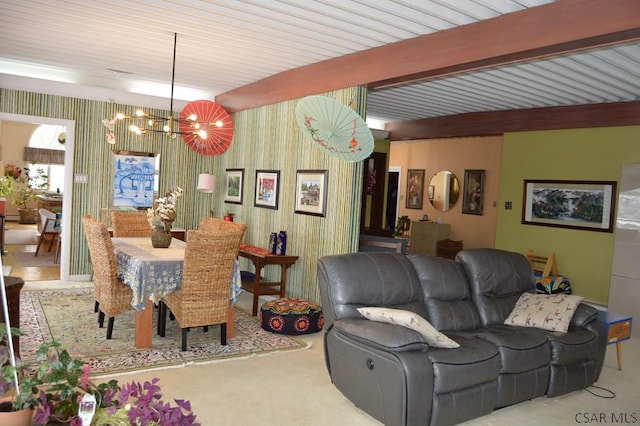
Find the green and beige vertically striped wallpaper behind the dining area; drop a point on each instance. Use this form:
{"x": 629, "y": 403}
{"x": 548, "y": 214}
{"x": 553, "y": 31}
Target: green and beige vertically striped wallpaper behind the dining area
{"x": 264, "y": 138}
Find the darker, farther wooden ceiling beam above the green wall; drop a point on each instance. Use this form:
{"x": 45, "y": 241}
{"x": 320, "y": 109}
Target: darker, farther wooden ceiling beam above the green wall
{"x": 499, "y": 122}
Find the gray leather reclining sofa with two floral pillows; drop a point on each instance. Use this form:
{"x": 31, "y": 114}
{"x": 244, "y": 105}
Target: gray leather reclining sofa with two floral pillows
{"x": 392, "y": 373}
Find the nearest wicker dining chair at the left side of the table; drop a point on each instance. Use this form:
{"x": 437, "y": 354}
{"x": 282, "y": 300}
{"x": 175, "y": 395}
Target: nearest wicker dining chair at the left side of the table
{"x": 112, "y": 295}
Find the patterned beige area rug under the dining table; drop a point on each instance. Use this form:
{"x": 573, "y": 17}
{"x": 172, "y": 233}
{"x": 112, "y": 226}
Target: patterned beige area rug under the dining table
{"x": 67, "y": 317}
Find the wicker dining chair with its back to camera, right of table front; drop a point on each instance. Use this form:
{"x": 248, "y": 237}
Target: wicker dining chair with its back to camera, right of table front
{"x": 203, "y": 297}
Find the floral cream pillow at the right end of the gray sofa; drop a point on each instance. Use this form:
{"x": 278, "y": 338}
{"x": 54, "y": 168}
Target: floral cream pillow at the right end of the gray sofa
{"x": 542, "y": 311}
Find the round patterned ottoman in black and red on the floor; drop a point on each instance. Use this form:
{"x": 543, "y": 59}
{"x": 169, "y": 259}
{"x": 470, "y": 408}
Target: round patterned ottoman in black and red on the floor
{"x": 291, "y": 316}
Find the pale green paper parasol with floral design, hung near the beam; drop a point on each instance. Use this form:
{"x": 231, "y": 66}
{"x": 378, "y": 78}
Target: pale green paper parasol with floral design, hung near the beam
{"x": 335, "y": 127}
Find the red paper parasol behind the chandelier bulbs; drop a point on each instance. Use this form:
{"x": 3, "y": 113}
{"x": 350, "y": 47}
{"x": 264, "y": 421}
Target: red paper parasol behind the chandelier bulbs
{"x": 214, "y": 120}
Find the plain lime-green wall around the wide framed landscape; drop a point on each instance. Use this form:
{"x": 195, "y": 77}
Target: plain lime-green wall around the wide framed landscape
{"x": 575, "y": 154}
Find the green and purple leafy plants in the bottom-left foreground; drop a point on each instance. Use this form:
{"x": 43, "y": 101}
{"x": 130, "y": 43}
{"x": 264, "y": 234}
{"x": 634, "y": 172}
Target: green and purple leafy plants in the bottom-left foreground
{"x": 53, "y": 388}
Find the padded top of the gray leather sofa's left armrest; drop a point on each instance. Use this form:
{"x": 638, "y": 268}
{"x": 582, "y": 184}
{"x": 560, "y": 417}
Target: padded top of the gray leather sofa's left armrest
{"x": 387, "y": 337}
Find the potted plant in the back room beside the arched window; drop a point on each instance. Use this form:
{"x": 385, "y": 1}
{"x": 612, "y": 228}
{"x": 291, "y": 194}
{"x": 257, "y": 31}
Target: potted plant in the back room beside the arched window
{"x": 26, "y": 184}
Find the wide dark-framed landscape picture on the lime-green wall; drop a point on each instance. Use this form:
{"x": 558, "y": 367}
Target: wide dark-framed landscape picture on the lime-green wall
{"x": 587, "y": 205}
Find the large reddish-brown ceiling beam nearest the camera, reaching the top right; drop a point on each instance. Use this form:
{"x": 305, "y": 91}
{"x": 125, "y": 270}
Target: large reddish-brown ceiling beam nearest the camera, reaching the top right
{"x": 559, "y": 27}
